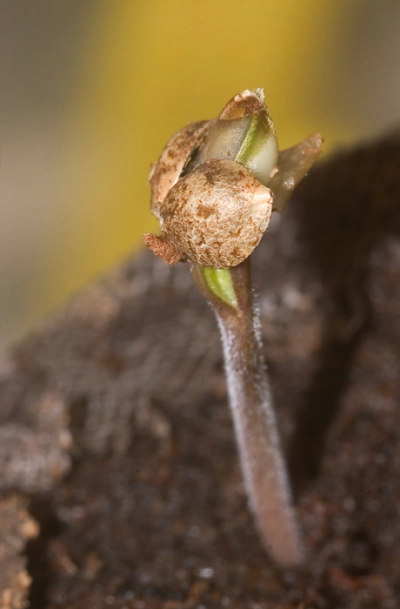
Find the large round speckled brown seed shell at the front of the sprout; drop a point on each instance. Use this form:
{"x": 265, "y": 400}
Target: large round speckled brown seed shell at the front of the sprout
{"x": 217, "y": 214}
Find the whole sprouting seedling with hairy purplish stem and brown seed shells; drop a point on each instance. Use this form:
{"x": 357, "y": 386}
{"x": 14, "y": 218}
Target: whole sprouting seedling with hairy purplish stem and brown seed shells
{"x": 213, "y": 190}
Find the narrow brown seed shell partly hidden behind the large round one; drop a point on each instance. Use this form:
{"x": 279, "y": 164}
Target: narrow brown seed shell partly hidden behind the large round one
{"x": 165, "y": 173}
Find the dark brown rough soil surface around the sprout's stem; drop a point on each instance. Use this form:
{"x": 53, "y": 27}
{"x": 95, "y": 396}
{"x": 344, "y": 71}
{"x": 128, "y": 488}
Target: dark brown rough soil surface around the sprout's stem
{"x": 116, "y": 433}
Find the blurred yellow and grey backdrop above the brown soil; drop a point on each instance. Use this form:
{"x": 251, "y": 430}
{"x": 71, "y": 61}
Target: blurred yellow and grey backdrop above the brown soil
{"x": 92, "y": 89}
